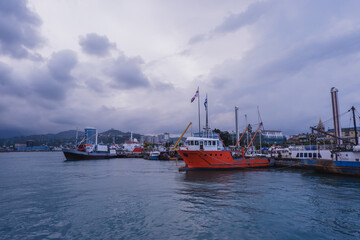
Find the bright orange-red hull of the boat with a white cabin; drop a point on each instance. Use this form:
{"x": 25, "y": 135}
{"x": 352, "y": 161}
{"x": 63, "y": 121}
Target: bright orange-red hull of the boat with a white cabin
{"x": 219, "y": 160}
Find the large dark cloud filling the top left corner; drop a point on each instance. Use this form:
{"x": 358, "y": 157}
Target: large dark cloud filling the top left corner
{"x": 18, "y": 29}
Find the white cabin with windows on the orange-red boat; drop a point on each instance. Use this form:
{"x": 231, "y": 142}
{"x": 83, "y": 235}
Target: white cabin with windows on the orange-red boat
{"x": 206, "y": 144}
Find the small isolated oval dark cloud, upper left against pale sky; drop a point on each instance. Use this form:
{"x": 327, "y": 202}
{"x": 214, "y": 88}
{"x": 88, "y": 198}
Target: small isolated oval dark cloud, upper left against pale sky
{"x": 94, "y": 44}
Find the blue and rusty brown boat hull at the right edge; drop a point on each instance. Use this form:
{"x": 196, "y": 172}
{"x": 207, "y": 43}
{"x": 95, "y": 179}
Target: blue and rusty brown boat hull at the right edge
{"x": 331, "y": 166}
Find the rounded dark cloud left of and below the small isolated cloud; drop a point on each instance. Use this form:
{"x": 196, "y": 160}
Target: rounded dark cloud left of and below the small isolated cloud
{"x": 61, "y": 64}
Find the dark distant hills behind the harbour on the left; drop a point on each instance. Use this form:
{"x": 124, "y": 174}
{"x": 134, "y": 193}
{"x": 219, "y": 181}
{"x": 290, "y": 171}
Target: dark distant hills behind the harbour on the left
{"x": 67, "y": 137}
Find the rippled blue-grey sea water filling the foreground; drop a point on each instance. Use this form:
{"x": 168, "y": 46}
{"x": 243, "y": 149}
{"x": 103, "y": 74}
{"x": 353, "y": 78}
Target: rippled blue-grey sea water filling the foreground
{"x": 43, "y": 197}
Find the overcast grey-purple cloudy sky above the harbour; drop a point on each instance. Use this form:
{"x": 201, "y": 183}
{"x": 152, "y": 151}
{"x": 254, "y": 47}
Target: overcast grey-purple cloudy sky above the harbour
{"x": 135, "y": 65}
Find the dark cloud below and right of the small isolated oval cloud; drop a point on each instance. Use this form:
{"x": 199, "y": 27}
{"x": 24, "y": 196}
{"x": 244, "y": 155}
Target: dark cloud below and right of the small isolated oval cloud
{"x": 126, "y": 73}
